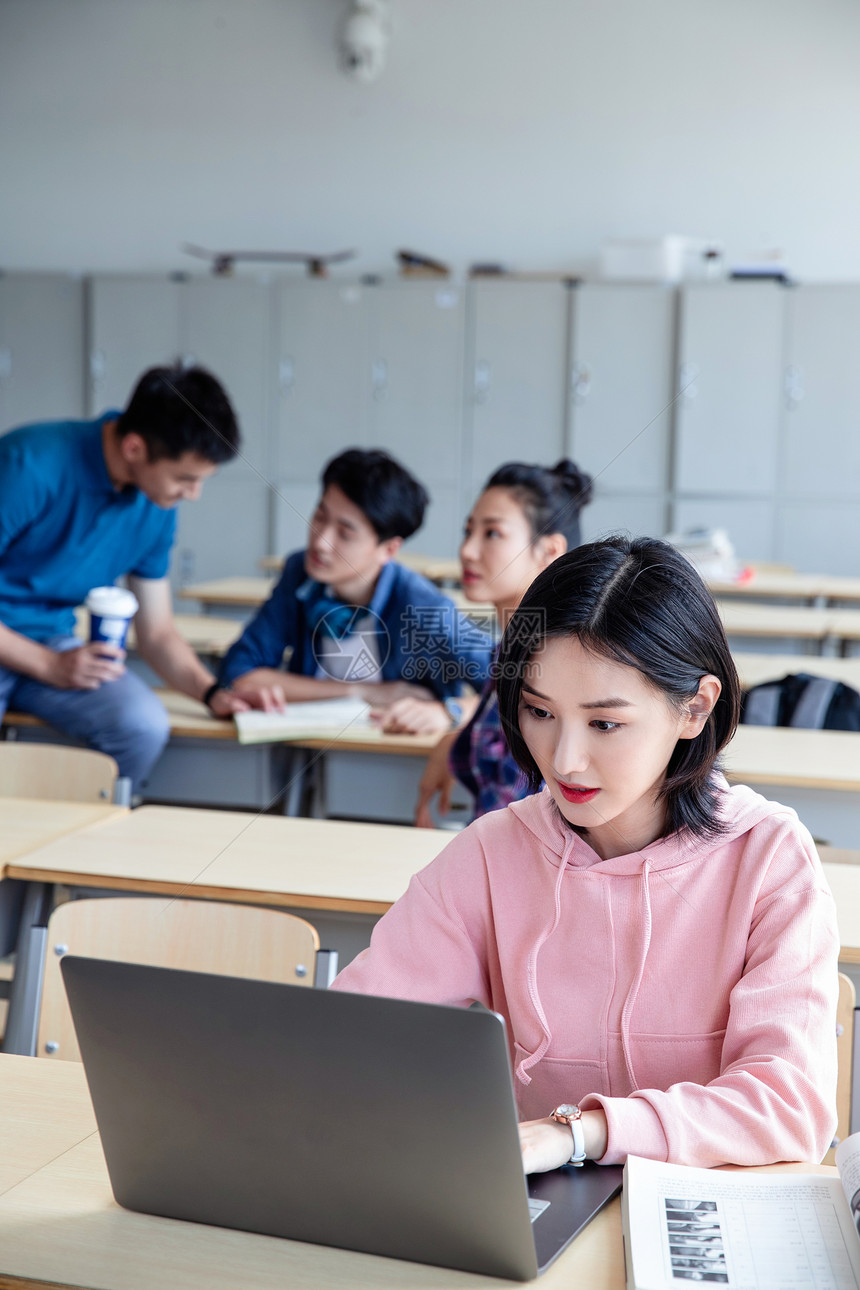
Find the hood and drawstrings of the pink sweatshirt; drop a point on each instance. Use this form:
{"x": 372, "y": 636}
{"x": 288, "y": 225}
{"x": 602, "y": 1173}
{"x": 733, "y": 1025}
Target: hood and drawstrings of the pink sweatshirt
{"x": 741, "y": 809}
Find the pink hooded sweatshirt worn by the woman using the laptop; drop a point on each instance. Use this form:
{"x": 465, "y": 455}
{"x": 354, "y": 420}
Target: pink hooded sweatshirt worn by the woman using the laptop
{"x": 689, "y": 989}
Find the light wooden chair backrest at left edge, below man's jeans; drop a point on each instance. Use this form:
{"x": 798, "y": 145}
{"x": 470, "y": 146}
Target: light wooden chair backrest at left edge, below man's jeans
{"x": 56, "y": 773}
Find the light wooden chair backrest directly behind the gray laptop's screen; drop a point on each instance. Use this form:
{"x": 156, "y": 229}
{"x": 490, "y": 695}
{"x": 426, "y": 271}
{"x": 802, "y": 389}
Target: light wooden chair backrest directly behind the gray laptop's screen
{"x": 199, "y": 936}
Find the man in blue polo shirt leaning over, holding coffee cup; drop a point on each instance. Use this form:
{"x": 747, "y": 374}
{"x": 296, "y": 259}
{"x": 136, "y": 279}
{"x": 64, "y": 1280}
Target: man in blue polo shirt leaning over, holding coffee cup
{"x": 83, "y": 504}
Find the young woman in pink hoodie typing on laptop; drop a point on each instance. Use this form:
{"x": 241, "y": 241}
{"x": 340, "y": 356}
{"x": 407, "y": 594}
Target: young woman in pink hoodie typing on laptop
{"x": 663, "y": 948}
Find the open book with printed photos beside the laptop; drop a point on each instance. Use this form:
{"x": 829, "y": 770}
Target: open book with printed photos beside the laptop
{"x": 747, "y": 1231}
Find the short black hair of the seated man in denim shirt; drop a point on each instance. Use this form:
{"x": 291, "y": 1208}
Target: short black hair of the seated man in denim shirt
{"x": 390, "y": 499}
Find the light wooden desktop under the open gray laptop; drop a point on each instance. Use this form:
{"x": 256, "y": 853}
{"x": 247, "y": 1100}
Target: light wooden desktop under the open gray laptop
{"x": 60, "y": 1225}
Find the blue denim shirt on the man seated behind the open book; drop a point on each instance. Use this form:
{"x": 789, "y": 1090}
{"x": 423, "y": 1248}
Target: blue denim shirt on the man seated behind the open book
{"x": 421, "y": 635}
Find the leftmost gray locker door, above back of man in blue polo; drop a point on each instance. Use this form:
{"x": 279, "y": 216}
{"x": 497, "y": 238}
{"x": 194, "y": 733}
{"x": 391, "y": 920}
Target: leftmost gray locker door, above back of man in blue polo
{"x": 42, "y": 349}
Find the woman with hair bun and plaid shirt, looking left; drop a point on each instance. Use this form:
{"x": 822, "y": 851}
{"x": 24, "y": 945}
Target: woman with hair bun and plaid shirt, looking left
{"x": 525, "y": 518}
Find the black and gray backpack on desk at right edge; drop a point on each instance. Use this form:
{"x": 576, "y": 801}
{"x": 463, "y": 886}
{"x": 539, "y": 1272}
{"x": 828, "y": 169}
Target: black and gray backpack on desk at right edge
{"x": 803, "y": 701}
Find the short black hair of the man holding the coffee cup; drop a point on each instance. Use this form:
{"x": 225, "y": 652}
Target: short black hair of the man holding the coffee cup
{"x": 181, "y": 411}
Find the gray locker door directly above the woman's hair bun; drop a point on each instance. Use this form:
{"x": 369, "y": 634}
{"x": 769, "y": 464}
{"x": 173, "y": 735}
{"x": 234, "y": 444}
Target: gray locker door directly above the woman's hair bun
{"x": 515, "y": 375}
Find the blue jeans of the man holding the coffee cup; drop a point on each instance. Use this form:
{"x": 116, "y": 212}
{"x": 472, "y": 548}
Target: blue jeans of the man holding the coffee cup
{"x": 122, "y": 718}
